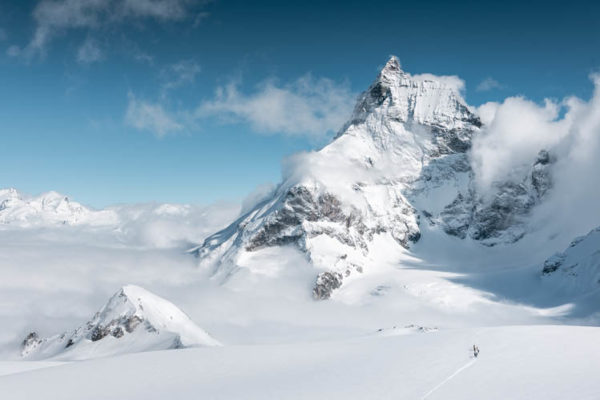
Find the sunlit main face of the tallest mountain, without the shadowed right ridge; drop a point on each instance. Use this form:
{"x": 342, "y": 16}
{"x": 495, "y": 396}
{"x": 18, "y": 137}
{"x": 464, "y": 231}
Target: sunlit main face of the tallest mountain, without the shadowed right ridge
{"x": 354, "y": 191}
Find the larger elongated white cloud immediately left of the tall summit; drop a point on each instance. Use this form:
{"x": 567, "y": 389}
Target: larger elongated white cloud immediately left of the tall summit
{"x": 308, "y": 106}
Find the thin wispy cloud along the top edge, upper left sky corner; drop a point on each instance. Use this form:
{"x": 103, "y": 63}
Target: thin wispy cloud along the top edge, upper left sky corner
{"x": 54, "y": 17}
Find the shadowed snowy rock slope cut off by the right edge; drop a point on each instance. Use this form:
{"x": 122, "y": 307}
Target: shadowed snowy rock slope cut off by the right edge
{"x": 577, "y": 269}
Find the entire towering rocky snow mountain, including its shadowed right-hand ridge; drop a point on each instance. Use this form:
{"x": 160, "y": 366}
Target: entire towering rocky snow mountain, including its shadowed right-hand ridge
{"x": 400, "y": 162}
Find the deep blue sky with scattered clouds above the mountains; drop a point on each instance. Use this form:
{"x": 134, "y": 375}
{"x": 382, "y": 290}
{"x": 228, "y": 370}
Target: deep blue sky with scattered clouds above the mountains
{"x": 189, "y": 101}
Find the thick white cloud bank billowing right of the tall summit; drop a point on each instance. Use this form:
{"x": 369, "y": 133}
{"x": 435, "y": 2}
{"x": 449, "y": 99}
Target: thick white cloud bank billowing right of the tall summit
{"x": 517, "y": 129}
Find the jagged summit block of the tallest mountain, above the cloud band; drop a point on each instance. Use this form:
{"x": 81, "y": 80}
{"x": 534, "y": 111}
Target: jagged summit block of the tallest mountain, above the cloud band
{"x": 401, "y": 109}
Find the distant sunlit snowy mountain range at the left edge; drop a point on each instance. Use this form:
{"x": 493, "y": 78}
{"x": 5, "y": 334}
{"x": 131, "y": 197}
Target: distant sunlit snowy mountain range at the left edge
{"x": 48, "y": 209}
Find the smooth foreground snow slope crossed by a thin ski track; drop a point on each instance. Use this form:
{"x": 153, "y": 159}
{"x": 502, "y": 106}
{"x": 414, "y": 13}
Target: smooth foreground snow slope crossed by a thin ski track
{"x": 525, "y": 362}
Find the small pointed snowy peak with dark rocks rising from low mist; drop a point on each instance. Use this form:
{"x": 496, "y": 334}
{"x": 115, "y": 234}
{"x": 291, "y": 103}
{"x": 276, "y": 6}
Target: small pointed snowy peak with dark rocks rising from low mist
{"x": 133, "y": 320}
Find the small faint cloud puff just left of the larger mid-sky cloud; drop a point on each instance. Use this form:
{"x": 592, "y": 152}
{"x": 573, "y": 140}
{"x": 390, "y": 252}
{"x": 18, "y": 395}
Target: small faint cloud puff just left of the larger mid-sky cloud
{"x": 150, "y": 117}
